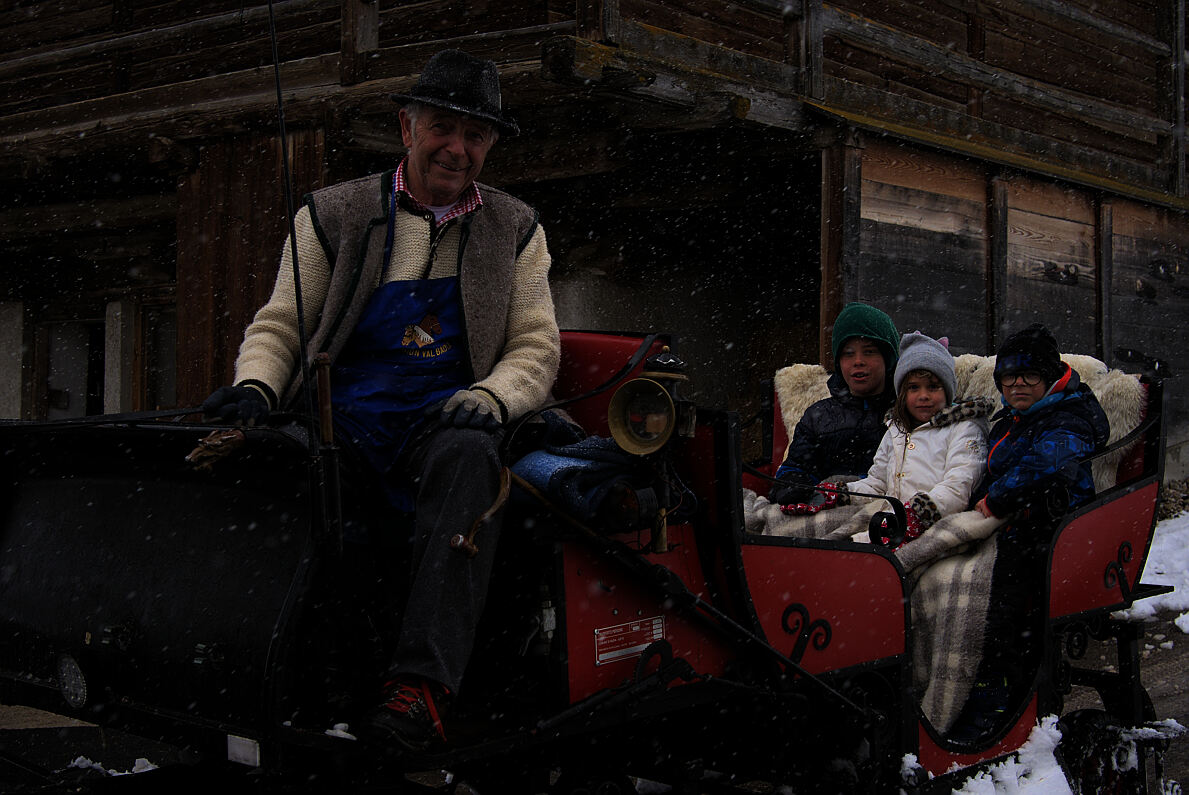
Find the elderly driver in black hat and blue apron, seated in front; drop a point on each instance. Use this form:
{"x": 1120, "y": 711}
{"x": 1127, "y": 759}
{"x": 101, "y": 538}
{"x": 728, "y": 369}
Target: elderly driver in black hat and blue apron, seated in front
{"x": 431, "y": 294}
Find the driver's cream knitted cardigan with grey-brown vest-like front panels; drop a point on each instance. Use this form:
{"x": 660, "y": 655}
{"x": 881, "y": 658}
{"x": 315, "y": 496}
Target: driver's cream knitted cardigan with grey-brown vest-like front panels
{"x": 499, "y": 253}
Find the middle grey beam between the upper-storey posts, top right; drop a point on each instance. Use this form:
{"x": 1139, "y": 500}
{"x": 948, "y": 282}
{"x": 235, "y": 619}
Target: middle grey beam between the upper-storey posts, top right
{"x": 943, "y": 61}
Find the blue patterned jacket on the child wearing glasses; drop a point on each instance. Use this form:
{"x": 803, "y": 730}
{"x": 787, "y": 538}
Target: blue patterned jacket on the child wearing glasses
{"x": 1048, "y": 443}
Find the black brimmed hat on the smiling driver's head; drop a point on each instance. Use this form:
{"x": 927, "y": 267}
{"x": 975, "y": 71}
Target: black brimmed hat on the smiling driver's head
{"x": 457, "y": 81}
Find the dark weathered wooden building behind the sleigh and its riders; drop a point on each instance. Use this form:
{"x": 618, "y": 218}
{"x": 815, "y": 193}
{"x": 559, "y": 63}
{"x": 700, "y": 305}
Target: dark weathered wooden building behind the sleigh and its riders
{"x": 732, "y": 173}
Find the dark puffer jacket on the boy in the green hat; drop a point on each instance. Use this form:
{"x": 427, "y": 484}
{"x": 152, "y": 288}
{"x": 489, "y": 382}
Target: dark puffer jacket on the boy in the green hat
{"x": 836, "y": 436}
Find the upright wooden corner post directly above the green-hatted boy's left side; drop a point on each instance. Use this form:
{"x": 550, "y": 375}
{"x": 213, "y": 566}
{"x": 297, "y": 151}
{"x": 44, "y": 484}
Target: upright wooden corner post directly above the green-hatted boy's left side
{"x": 841, "y": 206}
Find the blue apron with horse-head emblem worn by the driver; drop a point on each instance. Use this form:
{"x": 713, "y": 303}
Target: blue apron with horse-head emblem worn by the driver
{"x": 407, "y": 354}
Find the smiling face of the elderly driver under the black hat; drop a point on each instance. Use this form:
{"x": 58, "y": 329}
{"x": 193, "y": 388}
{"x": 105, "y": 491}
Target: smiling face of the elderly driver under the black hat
{"x": 446, "y": 154}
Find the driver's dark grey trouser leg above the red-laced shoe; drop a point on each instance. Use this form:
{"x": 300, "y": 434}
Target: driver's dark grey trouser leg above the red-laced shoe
{"x": 456, "y": 476}
